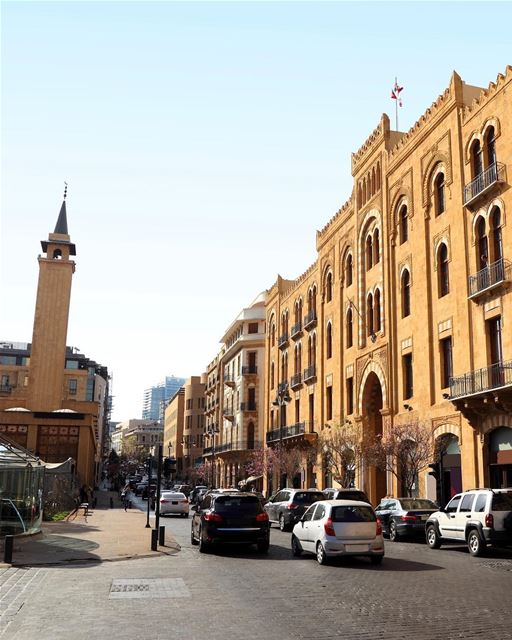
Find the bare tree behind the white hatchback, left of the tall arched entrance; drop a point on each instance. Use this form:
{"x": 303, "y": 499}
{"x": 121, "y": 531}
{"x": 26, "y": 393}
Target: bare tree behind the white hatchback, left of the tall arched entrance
{"x": 342, "y": 448}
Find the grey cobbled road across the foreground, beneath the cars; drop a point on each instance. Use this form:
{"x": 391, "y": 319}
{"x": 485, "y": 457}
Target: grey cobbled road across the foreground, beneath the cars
{"x": 237, "y": 593}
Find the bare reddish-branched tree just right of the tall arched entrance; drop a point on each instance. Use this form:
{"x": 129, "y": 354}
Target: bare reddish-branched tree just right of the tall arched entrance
{"x": 405, "y": 451}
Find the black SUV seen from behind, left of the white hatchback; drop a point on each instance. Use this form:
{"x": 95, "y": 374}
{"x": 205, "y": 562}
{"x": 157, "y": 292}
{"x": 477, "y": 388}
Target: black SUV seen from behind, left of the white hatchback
{"x": 230, "y": 518}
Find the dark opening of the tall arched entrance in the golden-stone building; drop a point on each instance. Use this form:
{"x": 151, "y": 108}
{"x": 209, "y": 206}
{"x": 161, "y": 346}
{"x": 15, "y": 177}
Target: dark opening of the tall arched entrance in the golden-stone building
{"x": 374, "y": 480}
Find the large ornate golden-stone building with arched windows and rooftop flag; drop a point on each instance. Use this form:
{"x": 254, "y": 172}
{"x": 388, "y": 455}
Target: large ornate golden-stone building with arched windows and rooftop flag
{"x": 405, "y": 314}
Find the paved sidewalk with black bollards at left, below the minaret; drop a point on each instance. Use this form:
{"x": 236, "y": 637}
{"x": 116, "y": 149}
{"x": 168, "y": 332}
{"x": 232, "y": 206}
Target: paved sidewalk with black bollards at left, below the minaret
{"x": 103, "y": 535}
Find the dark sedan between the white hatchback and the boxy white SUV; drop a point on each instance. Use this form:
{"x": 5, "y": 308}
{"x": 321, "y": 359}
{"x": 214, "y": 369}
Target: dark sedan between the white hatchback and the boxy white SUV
{"x": 402, "y": 517}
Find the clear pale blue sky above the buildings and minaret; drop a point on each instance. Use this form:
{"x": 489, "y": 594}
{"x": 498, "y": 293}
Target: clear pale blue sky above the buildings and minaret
{"x": 203, "y": 144}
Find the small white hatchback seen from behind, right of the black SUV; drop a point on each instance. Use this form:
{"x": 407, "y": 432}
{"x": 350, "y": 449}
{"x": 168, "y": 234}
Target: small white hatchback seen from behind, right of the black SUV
{"x": 333, "y": 528}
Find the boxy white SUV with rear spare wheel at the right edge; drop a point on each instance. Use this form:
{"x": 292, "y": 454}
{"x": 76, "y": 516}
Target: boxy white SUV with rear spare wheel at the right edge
{"x": 480, "y": 518}
